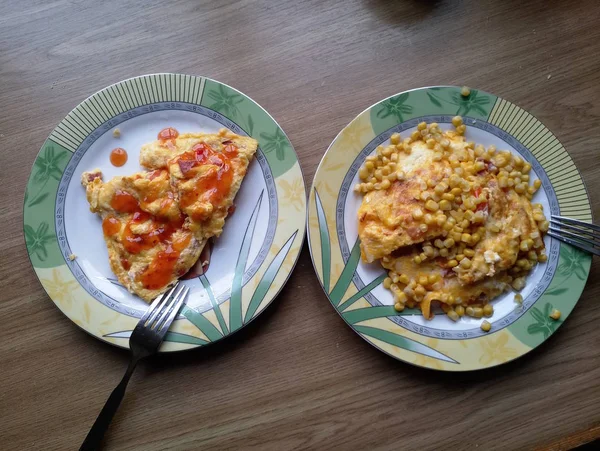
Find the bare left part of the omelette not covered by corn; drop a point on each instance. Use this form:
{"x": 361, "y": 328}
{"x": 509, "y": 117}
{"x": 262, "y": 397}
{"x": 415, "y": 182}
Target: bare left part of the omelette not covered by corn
{"x": 385, "y": 217}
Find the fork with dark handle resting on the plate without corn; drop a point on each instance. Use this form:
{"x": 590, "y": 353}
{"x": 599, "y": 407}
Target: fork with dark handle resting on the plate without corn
{"x": 144, "y": 341}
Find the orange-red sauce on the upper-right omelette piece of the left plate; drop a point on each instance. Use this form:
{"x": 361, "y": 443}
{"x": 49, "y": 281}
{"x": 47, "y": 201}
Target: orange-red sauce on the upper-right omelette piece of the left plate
{"x": 214, "y": 184}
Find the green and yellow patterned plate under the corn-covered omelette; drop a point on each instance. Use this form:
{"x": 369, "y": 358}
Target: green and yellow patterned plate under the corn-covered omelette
{"x": 354, "y": 288}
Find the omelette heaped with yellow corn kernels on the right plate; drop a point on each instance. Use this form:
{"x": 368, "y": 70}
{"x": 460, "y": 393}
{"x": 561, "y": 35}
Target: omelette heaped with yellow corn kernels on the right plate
{"x": 450, "y": 220}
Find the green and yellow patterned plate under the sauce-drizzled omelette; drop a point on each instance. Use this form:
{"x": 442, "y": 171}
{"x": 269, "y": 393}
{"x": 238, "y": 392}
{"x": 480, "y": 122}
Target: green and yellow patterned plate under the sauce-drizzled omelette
{"x": 248, "y": 264}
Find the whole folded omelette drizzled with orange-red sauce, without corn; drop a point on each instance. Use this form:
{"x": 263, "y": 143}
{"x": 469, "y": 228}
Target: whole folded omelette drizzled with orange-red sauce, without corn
{"x": 157, "y": 222}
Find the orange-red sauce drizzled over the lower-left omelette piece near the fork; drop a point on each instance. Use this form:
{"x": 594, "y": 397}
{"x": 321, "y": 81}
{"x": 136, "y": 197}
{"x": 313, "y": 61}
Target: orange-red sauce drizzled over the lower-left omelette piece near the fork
{"x": 160, "y": 230}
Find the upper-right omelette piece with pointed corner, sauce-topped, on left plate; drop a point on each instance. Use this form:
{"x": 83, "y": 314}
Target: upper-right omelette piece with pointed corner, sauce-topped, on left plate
{"x": 206, "y": 172}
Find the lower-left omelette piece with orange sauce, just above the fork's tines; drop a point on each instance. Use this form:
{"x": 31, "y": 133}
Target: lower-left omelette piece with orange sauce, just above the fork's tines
{"x": 150, "y": 242}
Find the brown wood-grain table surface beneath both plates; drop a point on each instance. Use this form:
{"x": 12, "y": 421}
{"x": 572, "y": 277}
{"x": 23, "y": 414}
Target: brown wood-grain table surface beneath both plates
{"x": 298, "y": 377}
